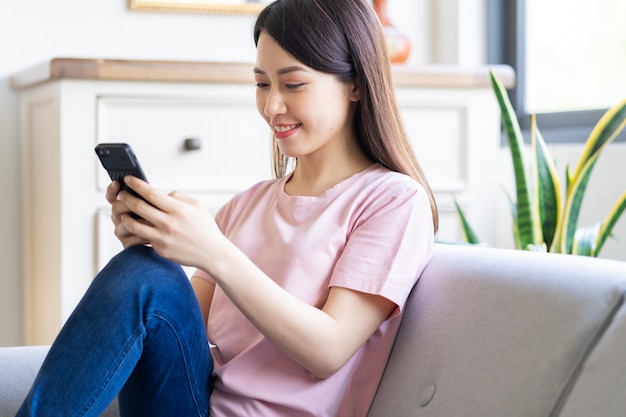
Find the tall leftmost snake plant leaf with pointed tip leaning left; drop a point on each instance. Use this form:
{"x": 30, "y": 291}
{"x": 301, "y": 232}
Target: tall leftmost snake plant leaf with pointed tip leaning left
{"x": 525, "y": 214}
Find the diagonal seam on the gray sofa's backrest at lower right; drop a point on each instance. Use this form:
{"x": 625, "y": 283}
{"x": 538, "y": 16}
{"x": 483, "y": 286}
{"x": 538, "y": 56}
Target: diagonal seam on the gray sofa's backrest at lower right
{"x": 577, "y": 370}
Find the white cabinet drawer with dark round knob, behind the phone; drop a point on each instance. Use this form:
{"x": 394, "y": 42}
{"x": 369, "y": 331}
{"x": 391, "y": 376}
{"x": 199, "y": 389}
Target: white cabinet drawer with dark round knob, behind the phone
{"x": 234, "y": 141}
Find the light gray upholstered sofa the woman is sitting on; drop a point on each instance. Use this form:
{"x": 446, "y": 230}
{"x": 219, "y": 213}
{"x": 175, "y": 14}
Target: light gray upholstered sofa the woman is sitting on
{"x": 487, "y": 333}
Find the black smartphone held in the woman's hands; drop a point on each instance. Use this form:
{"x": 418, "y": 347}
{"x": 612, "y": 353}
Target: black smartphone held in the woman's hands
{"x": 119, "y": 160}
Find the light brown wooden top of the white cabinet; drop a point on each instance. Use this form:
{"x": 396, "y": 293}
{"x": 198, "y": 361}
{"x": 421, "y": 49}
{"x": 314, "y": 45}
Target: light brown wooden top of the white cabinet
{"x": 226, "y": 72}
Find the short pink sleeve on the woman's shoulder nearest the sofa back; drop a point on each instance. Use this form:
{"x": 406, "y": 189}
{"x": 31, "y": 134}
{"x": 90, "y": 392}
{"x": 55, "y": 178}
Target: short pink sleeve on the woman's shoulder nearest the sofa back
{"x": 389, "y": 247}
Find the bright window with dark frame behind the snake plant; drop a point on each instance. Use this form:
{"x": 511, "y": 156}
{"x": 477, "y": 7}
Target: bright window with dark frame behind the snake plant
{"x": 569, "y": 57}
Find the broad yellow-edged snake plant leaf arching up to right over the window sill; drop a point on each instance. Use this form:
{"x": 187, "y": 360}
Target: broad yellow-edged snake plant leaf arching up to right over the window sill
{"x": 609, "y": 126}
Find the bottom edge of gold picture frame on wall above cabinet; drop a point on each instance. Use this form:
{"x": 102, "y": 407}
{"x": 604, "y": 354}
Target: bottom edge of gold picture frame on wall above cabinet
{"x": 200, "y": 6}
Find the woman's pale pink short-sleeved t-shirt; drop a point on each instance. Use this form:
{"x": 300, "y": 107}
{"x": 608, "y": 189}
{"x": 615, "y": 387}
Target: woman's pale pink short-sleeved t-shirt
{"x": 372, "y": 233}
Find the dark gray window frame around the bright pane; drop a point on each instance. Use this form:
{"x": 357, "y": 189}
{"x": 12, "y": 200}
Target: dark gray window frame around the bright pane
{"x": 506, "y": 25}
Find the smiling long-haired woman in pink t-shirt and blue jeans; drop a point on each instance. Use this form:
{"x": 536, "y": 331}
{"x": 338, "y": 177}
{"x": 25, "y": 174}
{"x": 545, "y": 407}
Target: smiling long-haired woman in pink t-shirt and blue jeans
{"x": 301, "y": 280}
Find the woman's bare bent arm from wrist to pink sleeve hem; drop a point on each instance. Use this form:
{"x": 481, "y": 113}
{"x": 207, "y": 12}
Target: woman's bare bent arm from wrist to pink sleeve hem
{"x": 323, "y": 340}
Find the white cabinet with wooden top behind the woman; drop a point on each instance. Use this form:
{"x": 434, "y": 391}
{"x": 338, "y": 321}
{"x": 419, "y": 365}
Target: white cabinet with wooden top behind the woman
{"x": 68, "y": 106}
